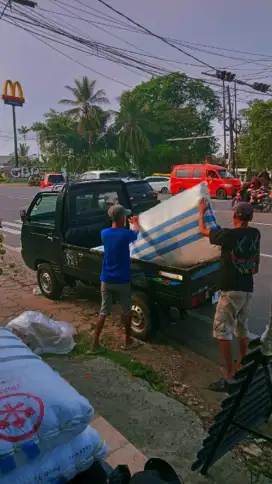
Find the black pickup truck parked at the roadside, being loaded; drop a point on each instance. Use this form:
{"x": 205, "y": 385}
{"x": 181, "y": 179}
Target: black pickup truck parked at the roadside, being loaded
{"x": 60, "y": 239}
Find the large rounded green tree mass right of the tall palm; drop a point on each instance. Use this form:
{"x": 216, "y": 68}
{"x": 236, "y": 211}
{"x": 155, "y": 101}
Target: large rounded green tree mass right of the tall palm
{"x": 167, "y": 107}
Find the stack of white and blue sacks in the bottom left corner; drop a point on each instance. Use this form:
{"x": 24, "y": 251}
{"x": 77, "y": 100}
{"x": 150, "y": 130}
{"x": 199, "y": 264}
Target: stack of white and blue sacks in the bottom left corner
{"x": 44, "y": 423}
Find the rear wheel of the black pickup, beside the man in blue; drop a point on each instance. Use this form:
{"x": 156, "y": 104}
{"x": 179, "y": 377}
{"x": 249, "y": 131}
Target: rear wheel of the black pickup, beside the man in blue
{"x": 142, "y": 325}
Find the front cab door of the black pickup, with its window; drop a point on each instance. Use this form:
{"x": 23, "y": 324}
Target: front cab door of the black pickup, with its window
{"x": 40, "y": 239}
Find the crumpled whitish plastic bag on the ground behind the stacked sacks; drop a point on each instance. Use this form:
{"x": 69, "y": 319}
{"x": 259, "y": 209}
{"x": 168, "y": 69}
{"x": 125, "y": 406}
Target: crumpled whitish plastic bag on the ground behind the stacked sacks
{"x": 42, "y": 334}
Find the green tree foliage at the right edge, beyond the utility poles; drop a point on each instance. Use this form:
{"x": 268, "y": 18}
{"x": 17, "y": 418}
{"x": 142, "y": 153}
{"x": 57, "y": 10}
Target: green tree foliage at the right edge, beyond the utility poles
{"x": 255, "y": 141}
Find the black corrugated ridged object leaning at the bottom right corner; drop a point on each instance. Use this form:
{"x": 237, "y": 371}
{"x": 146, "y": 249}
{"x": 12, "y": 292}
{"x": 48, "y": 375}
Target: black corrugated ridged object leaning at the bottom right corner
{"x": 248, "y": 405}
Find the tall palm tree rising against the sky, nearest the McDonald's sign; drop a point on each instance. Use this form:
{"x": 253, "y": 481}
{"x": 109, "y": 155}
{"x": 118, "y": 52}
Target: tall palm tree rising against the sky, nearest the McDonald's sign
{"x": 86, "y": 105}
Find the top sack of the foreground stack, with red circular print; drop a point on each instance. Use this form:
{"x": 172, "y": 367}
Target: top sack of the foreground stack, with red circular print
{"x": 39, "y": 410}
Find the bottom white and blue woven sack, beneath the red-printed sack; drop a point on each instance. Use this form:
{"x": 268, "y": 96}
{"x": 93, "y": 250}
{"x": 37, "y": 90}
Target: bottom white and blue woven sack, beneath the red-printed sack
{"x": 63, "y": 463}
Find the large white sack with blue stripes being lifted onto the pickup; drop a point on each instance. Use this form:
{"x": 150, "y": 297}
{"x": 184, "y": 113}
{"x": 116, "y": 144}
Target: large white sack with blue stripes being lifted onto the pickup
{"x": 169, "y": 232}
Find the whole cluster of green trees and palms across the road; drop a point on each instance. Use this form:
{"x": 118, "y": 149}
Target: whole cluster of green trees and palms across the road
{"x": 88, "y": 136}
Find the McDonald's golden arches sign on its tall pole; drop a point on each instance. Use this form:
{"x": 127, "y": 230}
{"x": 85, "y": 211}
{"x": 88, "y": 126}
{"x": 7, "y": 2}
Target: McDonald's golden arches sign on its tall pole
{"x": 13, "y": 96}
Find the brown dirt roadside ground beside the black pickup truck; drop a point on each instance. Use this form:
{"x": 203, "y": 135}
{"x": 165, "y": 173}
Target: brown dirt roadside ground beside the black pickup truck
{"x": 186, "y": 374}
